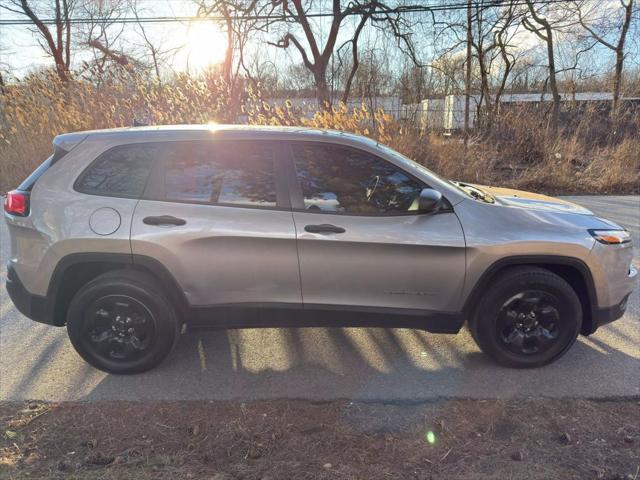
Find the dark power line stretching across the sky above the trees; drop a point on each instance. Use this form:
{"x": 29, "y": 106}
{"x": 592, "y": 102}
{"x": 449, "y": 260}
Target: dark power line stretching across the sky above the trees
{"x": 283, "y": 16}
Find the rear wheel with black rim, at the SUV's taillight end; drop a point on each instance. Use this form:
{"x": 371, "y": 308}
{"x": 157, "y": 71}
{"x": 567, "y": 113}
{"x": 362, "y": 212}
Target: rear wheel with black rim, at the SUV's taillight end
{"x": 122, "y": 322}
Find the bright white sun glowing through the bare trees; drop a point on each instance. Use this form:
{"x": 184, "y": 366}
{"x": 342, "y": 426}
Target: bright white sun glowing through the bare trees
{"x": 205, "y": 45}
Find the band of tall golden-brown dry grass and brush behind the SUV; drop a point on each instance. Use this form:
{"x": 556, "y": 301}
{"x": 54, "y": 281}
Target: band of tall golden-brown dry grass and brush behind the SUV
{"x": 590, "y": 155}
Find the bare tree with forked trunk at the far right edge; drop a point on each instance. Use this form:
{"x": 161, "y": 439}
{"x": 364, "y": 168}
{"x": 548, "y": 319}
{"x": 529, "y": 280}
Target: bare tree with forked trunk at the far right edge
{"x": 600, "y": 29}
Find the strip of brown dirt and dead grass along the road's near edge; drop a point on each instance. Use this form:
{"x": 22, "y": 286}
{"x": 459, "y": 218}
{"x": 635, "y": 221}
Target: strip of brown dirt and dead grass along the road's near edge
{"x": 451, "y": 439}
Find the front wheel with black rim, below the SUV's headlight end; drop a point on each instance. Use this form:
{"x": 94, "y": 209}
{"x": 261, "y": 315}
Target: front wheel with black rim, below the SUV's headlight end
{"x": 528, "y": 318}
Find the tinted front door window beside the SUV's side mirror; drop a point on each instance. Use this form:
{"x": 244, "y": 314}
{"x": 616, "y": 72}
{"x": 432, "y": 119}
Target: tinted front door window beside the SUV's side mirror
{"x": 338, "y": 179}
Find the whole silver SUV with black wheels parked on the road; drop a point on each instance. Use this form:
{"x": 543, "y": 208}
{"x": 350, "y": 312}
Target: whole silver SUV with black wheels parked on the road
{"x": 127, "y": 235}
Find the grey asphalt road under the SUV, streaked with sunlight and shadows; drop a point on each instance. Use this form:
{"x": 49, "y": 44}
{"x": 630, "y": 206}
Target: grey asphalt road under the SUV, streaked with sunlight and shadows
{"x": 38, "y": 362}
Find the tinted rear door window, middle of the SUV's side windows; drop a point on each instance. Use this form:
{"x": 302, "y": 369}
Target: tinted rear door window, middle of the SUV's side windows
{"x": 227, "y": 174}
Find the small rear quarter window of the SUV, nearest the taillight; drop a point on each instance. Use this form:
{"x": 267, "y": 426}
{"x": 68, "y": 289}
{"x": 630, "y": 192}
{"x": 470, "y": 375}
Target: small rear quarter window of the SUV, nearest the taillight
{"x": 121, "y": 171}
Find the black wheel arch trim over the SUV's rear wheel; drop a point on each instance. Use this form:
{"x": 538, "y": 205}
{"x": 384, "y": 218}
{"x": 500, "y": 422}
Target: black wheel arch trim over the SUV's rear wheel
{"x": 75, "y": 270}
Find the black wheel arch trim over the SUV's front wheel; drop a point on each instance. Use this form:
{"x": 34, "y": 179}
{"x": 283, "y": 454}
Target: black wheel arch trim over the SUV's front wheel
{"x": 571, "y": 269}
